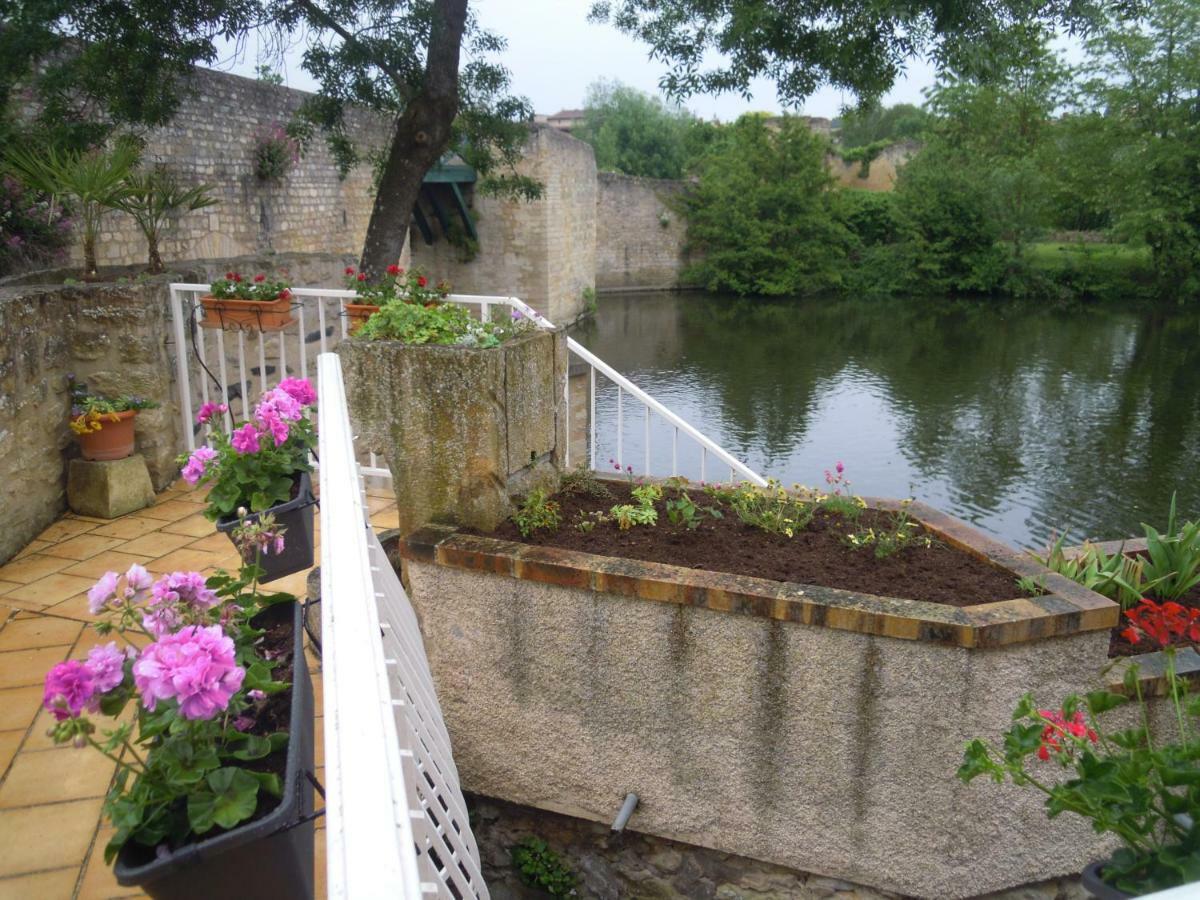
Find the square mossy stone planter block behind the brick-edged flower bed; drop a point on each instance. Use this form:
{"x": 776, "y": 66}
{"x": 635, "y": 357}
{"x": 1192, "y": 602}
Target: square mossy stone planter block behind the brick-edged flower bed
{"x": 463, "y": 430}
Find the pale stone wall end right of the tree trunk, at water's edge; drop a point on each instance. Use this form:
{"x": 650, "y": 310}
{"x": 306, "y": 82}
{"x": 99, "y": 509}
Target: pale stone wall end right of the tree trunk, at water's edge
{"x": 543, "y": 251}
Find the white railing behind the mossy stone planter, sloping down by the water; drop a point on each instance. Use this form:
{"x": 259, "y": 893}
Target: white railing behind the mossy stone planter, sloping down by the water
{"x": 218, "y": 356}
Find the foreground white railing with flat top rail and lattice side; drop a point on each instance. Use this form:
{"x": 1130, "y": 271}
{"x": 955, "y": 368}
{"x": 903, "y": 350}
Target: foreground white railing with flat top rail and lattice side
{"x": 397, "y": 823}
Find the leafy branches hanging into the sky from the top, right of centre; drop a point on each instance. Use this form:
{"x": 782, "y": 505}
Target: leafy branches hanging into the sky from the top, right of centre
{"x": 802, "y": 45}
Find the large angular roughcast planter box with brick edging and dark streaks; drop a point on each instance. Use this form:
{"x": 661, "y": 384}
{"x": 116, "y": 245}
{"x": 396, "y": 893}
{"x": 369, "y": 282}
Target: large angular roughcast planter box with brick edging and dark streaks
{"x": 807, "y": 727}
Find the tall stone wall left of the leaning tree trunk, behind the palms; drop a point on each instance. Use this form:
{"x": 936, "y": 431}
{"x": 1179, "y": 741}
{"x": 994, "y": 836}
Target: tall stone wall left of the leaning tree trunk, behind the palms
{"x": 212, "y": 141}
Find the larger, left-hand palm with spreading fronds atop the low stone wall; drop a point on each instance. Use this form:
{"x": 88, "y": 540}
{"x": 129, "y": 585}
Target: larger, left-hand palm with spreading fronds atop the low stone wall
{"x": 93, "y": 181}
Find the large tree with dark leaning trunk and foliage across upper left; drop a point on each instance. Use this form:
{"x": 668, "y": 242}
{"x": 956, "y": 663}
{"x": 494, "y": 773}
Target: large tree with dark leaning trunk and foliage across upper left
{"x": 424, "y": 64}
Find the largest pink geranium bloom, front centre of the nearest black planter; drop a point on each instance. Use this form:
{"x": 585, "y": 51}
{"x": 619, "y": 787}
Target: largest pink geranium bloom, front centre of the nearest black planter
{"x": 195, "y": 667}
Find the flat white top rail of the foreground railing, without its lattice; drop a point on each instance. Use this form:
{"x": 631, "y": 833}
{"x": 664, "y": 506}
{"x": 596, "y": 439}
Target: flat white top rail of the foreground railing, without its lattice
{"x": 365, "y": 790}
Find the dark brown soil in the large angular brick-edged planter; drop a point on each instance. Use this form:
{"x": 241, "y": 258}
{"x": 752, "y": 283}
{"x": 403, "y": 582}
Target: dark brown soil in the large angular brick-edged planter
{"x": 819, "y": 555}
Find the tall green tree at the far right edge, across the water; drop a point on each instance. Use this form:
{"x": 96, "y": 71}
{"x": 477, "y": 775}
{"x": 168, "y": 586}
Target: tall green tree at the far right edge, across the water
{"x": 1143, "y": 104}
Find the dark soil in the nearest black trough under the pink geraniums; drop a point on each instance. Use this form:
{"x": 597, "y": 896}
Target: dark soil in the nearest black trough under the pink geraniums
{"x": 275, "y": 716}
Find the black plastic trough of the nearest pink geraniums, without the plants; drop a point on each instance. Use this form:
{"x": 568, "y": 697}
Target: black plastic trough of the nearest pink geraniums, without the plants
{"x": 265, "y": 860}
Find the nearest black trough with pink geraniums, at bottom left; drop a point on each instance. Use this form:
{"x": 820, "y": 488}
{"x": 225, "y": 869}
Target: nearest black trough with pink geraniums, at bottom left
{"x": 211, "y": 795}
